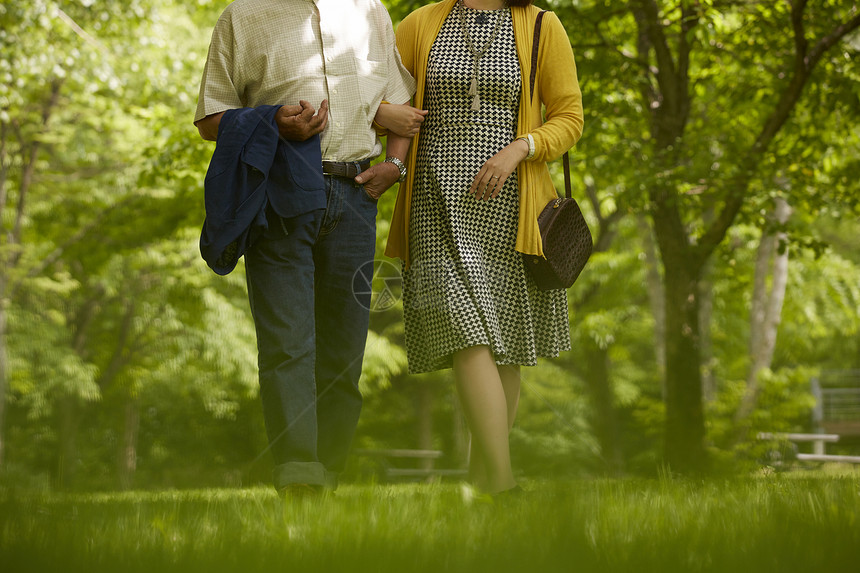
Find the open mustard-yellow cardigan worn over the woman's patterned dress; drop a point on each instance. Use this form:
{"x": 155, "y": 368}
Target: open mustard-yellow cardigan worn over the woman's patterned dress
{"x": 556, "y": 86}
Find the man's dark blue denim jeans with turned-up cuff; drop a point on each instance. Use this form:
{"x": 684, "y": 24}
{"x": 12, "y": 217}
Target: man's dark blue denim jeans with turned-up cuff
{"x": 311, "y": 330}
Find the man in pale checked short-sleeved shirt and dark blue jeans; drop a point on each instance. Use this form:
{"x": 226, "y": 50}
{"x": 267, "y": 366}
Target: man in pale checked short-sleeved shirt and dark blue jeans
{"x": 311, "y": 326}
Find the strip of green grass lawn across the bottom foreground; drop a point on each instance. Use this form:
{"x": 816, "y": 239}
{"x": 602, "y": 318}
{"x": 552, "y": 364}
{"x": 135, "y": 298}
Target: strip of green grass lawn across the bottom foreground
{"x": 783, "y": 522}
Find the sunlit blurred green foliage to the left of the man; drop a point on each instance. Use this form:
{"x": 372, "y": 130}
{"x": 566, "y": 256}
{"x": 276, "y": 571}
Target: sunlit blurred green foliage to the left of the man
{"x": 110, "y": 304}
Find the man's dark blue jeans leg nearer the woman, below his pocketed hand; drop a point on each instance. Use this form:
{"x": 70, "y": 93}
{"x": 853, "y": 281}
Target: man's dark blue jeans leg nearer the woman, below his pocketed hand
{"x": 346, "y": 242}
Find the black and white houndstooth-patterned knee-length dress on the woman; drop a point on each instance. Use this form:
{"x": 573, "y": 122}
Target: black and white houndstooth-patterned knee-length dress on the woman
{"x": 467, "y": 285}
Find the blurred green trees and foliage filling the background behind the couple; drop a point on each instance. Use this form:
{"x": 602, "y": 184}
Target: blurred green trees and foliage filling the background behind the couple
{"x": 125, "y": 362}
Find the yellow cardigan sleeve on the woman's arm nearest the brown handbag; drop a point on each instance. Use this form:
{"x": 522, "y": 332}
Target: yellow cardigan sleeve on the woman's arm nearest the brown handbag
{"x": 558, "y": 89}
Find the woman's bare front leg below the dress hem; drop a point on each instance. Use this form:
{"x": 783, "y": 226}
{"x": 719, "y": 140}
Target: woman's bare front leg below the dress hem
{"x": 486, "y": 406}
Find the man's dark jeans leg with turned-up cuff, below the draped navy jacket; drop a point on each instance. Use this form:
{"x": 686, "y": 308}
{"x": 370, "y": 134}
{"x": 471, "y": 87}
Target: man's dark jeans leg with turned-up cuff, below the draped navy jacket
{"x": 280, "y": 274}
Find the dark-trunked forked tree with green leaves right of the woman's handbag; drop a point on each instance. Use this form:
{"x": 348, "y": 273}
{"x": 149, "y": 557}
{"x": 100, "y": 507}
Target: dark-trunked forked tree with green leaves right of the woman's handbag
{"x": 692, "y": 67}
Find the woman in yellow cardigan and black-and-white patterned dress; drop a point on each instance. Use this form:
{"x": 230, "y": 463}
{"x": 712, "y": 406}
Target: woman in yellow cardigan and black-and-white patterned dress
{"x": 462, "y": 220}
